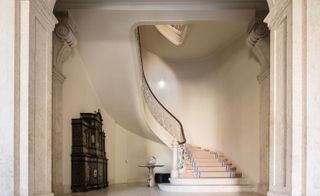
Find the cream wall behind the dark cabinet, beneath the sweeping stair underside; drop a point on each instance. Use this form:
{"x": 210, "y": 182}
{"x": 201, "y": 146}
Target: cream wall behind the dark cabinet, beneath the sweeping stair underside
{"x": 125, "y": 150}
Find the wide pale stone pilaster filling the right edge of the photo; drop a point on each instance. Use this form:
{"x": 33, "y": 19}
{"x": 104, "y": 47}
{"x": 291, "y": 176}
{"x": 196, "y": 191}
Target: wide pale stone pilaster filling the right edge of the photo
{"x": 294, "y": 125}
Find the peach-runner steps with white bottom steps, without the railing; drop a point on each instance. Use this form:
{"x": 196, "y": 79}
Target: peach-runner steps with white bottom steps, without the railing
{"x": 207, "y": 171}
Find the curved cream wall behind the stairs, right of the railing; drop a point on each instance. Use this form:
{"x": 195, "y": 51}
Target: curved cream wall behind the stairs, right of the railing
{"x": 217, "y": 100}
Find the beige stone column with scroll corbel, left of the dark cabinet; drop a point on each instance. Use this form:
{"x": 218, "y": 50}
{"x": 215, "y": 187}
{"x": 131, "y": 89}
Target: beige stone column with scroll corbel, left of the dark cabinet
{"x": 63, "y": 42}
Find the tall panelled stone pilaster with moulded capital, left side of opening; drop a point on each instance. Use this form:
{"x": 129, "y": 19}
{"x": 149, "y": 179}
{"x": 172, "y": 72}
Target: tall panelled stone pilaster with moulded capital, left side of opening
{"x": 37, "y": 23}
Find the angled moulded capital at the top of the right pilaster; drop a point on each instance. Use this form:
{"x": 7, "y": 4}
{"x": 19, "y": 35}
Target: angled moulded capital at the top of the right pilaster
{"x": 277, "y": 13}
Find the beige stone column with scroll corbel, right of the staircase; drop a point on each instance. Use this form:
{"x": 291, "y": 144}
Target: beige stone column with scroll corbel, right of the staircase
{"x": 258, "y": 40}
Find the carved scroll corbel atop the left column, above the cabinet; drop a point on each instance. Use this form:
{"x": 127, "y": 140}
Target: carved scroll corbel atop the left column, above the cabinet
{"x": 63, "y": 40}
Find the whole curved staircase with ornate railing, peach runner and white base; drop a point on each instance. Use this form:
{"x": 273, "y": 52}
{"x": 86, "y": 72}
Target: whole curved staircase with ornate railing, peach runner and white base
{"x": 194, "y": 169}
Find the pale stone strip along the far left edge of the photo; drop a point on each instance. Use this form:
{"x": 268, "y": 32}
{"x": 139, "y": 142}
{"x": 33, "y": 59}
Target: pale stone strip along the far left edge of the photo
{"x": 9, "y": 101}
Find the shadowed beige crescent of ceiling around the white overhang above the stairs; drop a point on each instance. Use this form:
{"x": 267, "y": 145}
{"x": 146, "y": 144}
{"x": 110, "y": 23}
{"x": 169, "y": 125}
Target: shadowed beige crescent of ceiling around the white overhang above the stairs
{"x": 203, "y": 39}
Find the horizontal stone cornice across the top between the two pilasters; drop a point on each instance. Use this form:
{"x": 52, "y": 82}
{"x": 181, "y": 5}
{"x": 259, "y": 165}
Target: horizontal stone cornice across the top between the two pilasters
{"x": 162, "y": 5}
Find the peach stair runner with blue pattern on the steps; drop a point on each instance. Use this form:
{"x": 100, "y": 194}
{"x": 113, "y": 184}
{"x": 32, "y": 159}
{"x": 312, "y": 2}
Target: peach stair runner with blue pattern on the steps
{"x": 204, "y": 163}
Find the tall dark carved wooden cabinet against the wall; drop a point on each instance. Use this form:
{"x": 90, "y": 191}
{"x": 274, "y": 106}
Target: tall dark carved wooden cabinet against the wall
{"x": 88, "y": 158}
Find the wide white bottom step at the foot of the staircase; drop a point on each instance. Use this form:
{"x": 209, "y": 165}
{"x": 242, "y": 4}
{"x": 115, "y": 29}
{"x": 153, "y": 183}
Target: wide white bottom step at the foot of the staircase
{"x": 205, "y": 188}
